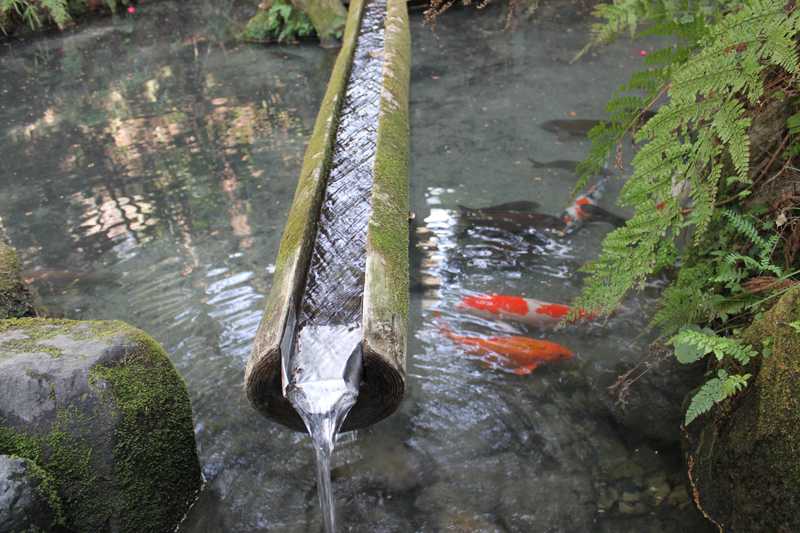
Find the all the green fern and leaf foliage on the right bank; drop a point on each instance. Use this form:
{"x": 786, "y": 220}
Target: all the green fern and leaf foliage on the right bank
{"x": 691, "y": 115}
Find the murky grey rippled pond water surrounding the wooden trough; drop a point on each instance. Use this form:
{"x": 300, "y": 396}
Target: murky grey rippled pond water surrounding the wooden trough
{"x": 147, "y": 164}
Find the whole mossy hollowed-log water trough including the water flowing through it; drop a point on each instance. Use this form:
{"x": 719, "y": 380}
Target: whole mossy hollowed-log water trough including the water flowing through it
{"x": 330, "y": 351}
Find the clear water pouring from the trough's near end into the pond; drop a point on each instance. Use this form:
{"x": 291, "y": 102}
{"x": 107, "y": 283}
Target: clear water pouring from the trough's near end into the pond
{"x": 321, "y": 380}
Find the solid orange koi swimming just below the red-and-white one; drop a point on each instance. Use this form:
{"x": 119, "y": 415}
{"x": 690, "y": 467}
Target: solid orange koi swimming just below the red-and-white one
{"x": 522, "y": 353}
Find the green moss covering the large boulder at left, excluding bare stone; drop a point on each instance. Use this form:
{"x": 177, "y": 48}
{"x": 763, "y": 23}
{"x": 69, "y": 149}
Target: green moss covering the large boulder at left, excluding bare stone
{"x": 156, "y": 471}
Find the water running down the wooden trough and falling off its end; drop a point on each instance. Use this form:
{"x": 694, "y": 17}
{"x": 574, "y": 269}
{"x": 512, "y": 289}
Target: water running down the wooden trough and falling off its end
{"x": 322, "y": 373}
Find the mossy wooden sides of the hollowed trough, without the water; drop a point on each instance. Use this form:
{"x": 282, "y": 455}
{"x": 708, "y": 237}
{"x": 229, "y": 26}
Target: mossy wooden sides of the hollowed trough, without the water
{"x": 386, "y": 277}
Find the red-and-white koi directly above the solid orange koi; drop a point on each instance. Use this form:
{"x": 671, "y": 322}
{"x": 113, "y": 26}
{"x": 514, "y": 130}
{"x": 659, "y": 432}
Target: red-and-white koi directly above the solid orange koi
{"x": 526, "y": 310}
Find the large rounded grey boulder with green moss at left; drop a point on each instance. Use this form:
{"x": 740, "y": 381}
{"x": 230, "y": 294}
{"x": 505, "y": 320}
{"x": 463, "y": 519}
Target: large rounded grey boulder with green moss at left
{"x": 101, "y": 410}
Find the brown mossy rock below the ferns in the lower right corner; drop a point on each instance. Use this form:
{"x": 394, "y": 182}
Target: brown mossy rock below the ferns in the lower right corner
{"x": 744, "y": 456}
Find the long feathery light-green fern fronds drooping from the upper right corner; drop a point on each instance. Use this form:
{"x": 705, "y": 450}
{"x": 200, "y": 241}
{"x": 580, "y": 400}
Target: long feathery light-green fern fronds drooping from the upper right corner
{"x": 690, "y": 143}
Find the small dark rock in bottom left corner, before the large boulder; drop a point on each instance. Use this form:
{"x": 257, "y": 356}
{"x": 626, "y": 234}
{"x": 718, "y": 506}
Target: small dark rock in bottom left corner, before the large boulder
{"x": 27, "y": 499}
